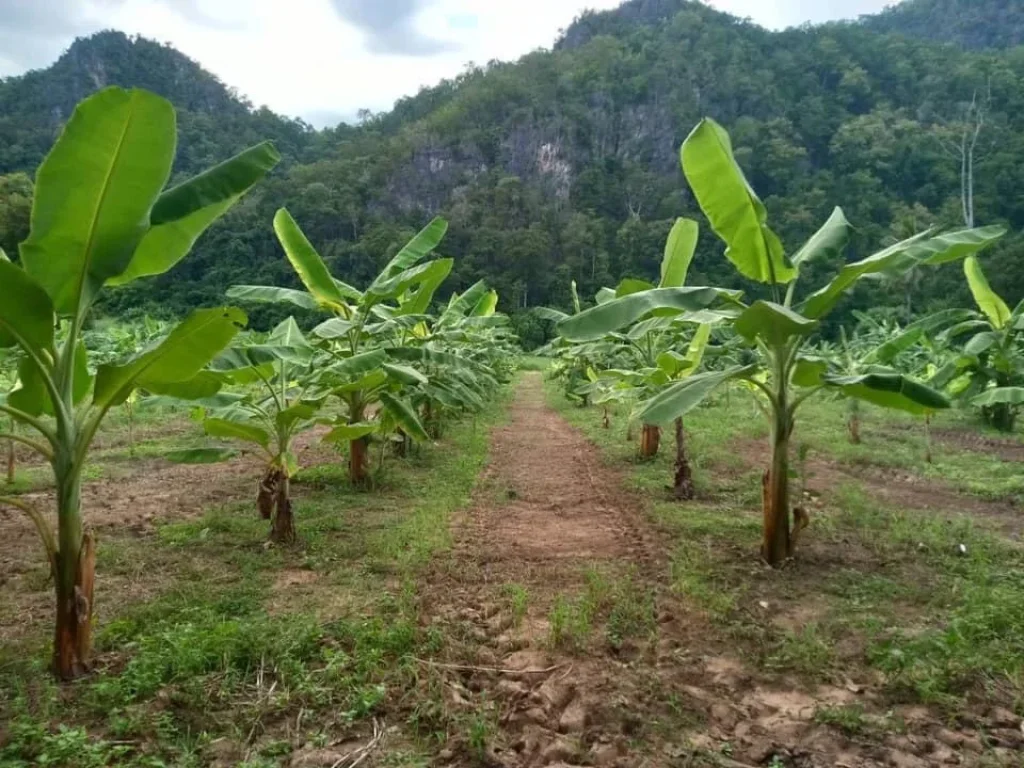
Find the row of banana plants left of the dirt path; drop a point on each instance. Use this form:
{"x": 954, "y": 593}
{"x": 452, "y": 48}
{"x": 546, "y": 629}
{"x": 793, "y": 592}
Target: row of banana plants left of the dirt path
{"x": 381, "y": 364}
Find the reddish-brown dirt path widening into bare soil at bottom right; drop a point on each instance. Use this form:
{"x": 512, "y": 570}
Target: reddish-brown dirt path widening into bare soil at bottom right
{"x": 548, "y": 510}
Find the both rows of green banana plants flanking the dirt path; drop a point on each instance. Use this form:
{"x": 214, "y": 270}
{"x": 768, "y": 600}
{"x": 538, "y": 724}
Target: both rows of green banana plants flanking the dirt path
{"x": 388, "y": 365}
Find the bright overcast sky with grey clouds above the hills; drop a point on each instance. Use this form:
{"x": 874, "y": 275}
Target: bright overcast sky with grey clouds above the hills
{"x": 325, "y": 60}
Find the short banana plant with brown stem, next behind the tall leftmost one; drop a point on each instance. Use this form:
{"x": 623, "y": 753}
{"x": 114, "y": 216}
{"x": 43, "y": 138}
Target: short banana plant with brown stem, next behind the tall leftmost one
{"x": 278, "y": 404}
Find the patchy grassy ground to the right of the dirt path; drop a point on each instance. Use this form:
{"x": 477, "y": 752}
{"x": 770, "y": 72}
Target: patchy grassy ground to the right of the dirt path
{"x": 905, "y": 608}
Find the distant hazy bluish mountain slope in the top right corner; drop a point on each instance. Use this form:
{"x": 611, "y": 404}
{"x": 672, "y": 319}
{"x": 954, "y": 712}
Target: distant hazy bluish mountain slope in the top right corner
{"x": 971, "y": 24}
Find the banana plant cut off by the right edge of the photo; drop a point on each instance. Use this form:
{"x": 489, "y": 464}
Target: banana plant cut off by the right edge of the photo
{"x": 989, "y": 370}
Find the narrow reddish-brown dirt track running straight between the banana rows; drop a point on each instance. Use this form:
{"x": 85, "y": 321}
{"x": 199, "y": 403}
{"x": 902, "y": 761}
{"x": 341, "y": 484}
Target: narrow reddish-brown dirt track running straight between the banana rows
{"x": 546, "y": 511}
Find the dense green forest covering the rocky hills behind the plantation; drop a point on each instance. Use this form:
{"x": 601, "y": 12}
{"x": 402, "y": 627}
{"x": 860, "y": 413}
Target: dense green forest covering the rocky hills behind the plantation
{"x": 565, "y": 165}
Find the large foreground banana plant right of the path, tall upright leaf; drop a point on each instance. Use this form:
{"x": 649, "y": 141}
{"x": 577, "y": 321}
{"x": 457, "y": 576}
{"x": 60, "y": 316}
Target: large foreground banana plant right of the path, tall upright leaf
{"x": 777, "y": 329}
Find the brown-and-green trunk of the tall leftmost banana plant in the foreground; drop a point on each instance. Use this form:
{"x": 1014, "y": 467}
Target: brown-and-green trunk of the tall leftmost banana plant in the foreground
{"x": 74, "y": 580}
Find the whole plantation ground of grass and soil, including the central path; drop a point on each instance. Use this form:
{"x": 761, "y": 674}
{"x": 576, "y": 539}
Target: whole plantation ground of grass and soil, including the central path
{"x": 641, "y": 630}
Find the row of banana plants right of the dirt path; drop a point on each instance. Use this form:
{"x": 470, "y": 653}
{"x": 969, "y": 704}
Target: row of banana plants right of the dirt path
{"x": 666, "y": 349}
